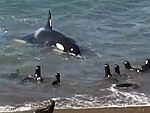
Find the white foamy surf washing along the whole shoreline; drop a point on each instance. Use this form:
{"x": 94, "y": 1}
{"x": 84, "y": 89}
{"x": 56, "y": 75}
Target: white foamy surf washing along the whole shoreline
{"x": 85, "y": 101}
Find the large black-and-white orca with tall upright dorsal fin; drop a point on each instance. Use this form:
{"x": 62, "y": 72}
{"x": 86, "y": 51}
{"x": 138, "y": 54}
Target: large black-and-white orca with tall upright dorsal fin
{"x": 48, "y": 37}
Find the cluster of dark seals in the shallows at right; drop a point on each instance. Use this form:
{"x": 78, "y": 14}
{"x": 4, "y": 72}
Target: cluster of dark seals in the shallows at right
{"x": 117, "y": 76}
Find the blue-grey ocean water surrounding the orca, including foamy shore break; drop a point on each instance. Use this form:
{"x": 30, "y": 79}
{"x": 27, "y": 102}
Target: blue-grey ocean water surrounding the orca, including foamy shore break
{"x": 107, "y": 31}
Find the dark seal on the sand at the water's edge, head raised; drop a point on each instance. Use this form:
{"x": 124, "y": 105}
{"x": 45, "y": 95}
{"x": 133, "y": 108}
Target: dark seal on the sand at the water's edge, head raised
{"x": 48, "y": 109}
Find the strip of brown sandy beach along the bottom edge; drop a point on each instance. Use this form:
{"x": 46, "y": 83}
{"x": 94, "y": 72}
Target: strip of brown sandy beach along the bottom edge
{"x": 137, "y": 109}
